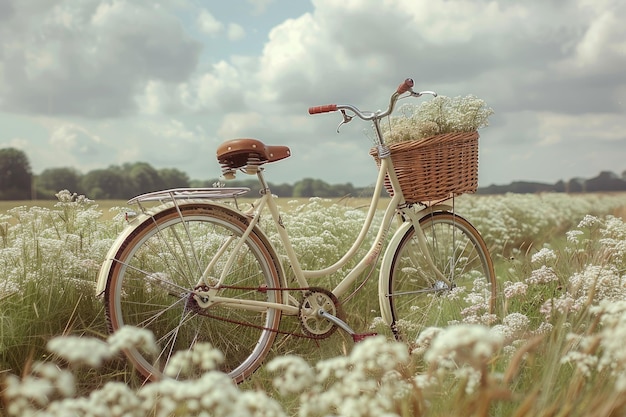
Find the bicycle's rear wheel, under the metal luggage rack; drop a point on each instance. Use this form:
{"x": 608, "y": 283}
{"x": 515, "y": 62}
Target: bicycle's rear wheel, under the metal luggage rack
{"x": 157, "y": 268}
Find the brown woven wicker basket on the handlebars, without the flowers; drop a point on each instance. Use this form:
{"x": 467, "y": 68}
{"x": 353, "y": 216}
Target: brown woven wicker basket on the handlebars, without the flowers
{"x": 435, "y": 168}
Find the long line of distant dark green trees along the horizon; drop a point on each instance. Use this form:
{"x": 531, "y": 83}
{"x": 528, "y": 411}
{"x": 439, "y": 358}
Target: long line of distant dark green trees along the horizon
{"x": 121, "y": 182}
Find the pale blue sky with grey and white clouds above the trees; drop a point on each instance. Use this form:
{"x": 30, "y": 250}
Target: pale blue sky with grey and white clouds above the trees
{"x": 94, "y": 83}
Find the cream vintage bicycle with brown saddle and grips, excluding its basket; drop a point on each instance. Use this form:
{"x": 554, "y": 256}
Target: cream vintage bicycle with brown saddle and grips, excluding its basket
{"x": 197, "y": 268}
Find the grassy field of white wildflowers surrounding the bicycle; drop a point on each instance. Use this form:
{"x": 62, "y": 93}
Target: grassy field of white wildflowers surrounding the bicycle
{"x": 556, "y": 349}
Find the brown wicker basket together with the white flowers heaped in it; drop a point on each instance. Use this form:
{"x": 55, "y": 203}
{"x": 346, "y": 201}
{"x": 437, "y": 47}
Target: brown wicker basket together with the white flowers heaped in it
{"x": 434, "y": 147}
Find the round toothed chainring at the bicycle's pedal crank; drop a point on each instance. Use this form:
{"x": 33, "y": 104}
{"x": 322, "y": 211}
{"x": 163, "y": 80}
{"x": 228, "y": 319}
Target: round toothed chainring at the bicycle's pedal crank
{"x": 313, "y": 301}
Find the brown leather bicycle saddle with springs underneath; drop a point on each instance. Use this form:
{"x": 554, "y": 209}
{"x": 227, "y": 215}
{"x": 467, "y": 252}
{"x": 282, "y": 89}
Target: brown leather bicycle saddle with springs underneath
{"x": 248, "y": 153}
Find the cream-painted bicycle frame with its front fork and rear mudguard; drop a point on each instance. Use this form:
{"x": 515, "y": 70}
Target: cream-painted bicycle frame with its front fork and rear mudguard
{"x": 396, "y": 207}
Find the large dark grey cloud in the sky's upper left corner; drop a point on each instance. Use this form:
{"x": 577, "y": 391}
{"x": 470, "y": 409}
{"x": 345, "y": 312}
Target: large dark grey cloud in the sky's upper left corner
{"x": 89, "y": 58}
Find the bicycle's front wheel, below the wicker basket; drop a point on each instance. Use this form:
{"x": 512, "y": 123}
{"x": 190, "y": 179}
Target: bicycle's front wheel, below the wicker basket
{"x": 419, "y": 298}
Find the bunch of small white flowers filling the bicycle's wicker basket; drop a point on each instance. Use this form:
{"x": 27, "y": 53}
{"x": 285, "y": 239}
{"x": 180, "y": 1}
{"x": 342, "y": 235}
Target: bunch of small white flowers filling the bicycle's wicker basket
{"x": 437, "y": 116}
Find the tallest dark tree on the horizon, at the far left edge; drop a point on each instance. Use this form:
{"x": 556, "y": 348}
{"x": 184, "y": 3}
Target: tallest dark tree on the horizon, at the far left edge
{"x": 16, "y": 177}
